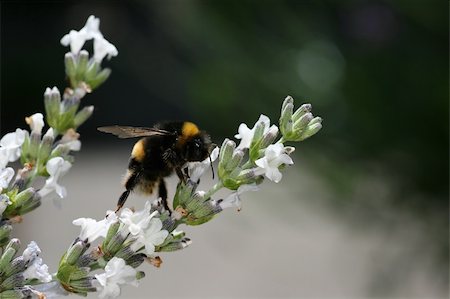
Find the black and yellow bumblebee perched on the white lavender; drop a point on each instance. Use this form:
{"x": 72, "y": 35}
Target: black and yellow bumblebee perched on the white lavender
{"x": 163, "y": 149}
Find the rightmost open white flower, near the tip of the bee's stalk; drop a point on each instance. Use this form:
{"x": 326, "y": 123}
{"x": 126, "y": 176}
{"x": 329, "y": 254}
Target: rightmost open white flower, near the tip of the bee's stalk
{"x": 274, "y": 156}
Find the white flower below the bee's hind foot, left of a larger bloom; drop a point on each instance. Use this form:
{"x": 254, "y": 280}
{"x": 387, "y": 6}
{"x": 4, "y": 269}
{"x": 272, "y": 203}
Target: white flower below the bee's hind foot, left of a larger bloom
{"x": 92, "y": 229}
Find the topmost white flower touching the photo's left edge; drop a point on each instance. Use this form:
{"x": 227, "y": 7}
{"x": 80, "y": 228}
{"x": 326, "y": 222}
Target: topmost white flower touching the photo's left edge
{"x": 10, "y": 147}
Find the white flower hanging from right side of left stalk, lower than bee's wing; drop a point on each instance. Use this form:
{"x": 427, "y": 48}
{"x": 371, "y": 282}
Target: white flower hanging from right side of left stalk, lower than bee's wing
{"x": 56, "y": 168}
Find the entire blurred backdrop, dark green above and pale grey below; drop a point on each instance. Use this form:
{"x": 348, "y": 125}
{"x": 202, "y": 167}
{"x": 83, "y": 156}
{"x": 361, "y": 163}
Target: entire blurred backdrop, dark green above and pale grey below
{"x": 364, "y": 212}
